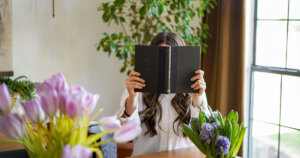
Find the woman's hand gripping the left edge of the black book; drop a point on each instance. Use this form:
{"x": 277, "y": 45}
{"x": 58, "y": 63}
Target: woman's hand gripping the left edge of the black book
{"x": 133, "y": 81}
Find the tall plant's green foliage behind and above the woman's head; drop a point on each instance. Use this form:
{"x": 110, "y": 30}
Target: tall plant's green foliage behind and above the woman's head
{"x": 141, "y": 20}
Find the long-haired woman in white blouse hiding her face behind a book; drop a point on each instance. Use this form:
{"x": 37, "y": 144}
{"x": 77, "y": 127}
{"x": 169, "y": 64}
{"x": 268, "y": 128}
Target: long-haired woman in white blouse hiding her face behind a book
{"x": 161, "y": 115}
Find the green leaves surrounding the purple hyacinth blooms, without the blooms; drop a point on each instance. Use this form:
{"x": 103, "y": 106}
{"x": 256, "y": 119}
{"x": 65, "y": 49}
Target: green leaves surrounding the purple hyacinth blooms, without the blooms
{"x": 229, "y": 127}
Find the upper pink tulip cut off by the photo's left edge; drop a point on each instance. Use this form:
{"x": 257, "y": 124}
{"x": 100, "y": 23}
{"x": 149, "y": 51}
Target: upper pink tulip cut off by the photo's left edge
{"x": 5, "y": 99}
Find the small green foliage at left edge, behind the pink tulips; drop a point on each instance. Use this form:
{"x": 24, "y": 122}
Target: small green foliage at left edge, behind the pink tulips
{"x": 20, "y": 85}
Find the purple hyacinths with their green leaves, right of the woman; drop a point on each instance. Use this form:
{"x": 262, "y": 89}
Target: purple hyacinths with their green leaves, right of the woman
{"x": 214, "y": 136}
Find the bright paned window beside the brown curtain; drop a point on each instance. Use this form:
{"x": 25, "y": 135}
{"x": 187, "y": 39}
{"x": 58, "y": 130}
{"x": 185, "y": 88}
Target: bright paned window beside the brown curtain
{"x": 274, "y": 115}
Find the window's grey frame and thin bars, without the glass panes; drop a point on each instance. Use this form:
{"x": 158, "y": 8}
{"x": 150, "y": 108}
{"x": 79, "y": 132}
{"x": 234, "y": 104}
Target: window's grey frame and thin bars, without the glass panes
{"x": 267, "y": 69}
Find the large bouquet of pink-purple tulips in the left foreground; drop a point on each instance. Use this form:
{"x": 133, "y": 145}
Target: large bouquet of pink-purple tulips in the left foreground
{"x": 60, "y": 115}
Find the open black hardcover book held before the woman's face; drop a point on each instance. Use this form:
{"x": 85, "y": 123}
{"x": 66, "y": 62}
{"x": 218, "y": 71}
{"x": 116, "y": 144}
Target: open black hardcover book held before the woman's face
{"x": 167, "y": 69}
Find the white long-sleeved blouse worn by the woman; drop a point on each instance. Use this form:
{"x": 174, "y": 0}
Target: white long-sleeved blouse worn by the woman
{"x": 166, "y": 138}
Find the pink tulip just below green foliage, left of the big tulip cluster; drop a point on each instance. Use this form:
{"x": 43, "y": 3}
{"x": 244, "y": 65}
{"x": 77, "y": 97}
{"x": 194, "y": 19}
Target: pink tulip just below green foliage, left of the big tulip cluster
{"x": 34, "y": 110}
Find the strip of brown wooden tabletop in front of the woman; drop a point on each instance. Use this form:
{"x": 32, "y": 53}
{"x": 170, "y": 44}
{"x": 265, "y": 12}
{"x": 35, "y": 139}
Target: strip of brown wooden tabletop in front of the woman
{"x": 179, "y": 153}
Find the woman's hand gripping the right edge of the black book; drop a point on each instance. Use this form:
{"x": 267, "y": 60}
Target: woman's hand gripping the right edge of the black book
{"x": 199, "y": 85}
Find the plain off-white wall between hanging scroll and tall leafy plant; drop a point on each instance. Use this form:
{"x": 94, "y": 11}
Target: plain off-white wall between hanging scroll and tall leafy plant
{"x": 43, "y": 45}
